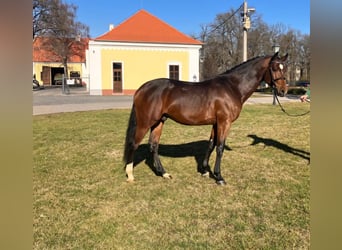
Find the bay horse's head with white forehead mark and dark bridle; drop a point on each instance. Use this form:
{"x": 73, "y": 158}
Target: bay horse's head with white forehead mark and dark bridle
{"x": 275, "y": 75}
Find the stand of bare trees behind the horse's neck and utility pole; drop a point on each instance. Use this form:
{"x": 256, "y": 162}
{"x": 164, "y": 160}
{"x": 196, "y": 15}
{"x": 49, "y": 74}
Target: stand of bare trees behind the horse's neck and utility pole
{"x": 223, "y": 45}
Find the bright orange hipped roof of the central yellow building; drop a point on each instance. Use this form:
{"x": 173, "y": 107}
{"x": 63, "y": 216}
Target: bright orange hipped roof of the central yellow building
{"x": 144, "y": 27}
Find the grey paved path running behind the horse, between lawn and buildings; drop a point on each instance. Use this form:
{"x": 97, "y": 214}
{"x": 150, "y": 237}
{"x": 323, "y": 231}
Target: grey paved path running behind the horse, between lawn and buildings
{"x": 52, "y": 100}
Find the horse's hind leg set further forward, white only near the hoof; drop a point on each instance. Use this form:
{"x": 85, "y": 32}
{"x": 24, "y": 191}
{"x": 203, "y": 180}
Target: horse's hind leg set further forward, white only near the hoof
{"x": 154, "y": 146}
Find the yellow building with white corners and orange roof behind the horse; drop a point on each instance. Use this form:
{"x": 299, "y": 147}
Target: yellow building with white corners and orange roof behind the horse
{"x": 141, "y": 48}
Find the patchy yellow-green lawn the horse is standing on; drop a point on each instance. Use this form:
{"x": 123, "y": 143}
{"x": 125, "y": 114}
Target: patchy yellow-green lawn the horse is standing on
{"x": 82, "y": 201}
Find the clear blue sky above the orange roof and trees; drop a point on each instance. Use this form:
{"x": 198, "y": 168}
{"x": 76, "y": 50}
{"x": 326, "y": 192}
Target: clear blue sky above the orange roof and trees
{"x": 187, "y": 16}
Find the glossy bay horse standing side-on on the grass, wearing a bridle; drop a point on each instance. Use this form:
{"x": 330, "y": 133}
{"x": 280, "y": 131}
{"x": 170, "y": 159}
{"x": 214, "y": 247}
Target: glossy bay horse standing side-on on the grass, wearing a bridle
{"x": 217, "y": 101}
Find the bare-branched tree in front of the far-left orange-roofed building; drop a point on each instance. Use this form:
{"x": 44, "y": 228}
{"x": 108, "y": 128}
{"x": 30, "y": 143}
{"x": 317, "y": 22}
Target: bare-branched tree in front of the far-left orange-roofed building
{"x": 56, "y": 21}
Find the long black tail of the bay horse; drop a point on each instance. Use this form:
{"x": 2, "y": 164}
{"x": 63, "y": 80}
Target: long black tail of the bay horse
{"x": 130, "y": 137}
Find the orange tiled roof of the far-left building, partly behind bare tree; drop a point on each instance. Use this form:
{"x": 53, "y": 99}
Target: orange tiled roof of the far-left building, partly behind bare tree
{"x": 42, "y": 51}
